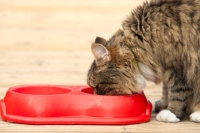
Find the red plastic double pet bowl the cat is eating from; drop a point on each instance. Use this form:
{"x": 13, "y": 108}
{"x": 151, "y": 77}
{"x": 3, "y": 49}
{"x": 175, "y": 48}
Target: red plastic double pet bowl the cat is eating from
{"x": 50, "y": 104}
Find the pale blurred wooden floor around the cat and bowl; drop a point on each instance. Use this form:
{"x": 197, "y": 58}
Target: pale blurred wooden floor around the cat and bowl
{"x": 48, "y": 42}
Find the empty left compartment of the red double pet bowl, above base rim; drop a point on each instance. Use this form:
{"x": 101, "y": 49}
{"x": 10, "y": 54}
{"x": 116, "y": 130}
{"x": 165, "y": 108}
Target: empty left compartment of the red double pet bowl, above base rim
{"x": 36, "y": 101}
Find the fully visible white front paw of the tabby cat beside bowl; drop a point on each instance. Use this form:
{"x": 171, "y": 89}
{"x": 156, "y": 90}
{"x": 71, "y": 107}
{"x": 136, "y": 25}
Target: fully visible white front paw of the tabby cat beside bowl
{"x": 167, "y": 116}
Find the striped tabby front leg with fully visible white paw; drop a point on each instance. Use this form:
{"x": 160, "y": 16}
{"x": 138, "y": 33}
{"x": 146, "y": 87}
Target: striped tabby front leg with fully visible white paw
{"x": 178, "y": 94}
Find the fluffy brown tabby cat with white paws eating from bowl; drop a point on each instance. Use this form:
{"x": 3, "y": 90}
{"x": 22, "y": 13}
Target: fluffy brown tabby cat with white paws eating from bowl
{"x": 160, "y": 42}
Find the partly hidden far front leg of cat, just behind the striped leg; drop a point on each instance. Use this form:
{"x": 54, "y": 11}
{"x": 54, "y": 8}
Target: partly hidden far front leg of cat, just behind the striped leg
{"x": 163, "y": 102}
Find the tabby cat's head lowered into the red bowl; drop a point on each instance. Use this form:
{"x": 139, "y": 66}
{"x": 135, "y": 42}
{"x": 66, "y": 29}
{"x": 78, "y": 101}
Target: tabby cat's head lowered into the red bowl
{"x": 115, "y": 70}
